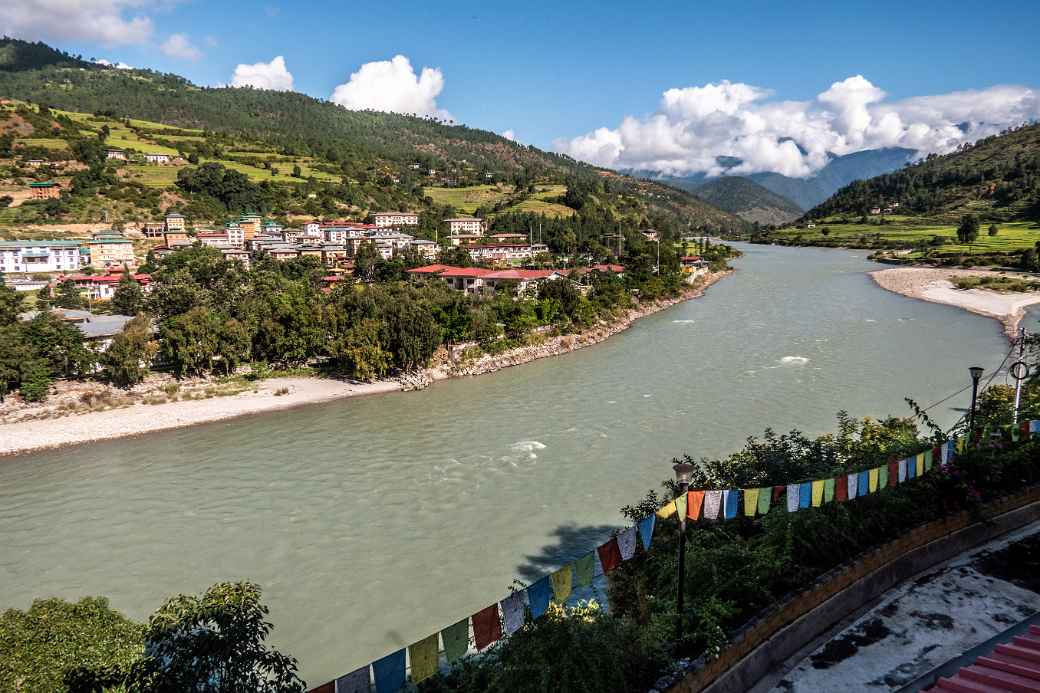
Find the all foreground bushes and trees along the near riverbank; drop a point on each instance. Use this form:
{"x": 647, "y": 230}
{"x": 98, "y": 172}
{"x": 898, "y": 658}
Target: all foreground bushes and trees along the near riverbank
{"x": 735, "y": 570}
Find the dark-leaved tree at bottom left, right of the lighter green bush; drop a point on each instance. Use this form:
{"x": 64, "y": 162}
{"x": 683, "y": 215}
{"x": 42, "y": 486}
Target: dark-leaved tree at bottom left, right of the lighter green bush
{"x": 214, "y": 644}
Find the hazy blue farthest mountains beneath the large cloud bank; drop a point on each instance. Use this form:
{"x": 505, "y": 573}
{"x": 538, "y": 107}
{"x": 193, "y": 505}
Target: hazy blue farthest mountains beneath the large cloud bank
{"x": 807, "y": 193}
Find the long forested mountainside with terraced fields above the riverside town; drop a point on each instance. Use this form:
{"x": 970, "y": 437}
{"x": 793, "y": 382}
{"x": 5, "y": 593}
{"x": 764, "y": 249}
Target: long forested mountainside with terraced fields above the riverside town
{"x": 377, "y": 160}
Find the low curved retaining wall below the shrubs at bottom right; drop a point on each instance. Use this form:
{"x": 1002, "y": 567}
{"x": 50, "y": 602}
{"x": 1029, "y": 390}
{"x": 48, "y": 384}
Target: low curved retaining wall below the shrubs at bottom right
{"x": 789, "y": 627}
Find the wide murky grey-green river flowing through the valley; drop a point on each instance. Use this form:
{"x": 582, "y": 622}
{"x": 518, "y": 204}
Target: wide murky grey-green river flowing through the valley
{"x": 372, "y": 523}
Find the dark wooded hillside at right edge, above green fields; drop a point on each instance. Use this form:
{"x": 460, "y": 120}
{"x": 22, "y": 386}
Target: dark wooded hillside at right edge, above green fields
{"x": 998, "y": 178}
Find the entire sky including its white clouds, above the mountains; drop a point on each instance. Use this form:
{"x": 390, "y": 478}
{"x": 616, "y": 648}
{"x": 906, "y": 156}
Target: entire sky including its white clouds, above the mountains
{"x": 661, "y": 86}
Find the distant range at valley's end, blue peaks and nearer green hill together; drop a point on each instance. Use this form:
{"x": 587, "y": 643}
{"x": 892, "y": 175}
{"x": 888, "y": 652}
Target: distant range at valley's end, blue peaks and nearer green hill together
{"x": 761, "y": 203}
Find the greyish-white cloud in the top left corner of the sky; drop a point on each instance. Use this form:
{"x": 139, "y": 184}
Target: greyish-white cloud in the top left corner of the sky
{"x": 106, "y": 21}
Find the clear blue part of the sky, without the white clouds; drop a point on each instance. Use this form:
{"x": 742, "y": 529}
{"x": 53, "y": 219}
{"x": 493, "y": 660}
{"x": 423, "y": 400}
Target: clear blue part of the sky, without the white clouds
{"x": 557, "y": 71}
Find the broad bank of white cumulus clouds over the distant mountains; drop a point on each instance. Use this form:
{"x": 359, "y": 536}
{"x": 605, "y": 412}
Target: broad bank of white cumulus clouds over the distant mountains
{"x": 695, "y": 126}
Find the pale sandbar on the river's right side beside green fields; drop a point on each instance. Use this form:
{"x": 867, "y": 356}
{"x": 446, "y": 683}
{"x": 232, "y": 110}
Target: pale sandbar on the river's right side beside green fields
{"x": 937, "y": 286}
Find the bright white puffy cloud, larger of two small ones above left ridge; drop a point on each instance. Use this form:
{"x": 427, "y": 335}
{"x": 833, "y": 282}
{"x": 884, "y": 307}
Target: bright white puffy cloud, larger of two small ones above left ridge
{"x": 393, "y": 86}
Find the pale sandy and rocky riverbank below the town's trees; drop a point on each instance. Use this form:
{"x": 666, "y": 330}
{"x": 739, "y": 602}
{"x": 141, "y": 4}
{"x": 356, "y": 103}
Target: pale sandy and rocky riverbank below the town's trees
{"x": 280, "y": 394}
